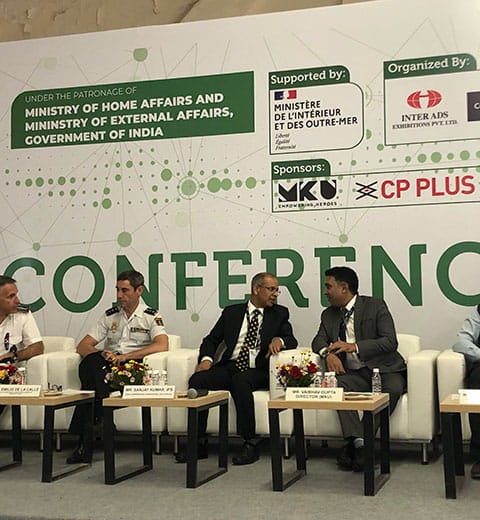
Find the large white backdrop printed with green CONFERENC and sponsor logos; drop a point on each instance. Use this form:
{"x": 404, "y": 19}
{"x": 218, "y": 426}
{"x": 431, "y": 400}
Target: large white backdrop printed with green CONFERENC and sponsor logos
{"x": 395, "y": 199}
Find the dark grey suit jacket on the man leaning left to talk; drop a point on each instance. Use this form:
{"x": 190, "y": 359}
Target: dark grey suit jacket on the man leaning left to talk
{"x": 374, "y": 334}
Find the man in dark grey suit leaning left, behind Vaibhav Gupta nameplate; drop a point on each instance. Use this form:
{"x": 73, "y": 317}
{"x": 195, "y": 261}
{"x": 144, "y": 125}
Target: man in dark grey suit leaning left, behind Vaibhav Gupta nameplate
{"x": 357, "y": 334}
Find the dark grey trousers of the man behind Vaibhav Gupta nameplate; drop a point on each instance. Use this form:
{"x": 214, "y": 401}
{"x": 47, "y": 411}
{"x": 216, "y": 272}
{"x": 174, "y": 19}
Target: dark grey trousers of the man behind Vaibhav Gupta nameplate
{"x": 395, "y": 384}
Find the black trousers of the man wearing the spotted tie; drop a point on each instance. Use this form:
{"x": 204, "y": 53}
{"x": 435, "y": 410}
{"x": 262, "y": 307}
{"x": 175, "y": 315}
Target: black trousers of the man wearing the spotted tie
{"x": 241, "y": 386}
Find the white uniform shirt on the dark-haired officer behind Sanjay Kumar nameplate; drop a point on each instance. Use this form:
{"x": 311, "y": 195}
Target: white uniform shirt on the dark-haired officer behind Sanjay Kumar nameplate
{"x": 124, "y": 335}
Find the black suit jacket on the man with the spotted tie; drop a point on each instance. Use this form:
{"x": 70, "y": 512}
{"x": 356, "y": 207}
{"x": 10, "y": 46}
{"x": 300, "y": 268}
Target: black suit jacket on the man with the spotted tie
{"x": 227, "y": 329}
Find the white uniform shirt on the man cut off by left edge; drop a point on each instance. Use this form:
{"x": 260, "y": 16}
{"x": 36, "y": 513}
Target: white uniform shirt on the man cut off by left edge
{"x": 19, "y": 329}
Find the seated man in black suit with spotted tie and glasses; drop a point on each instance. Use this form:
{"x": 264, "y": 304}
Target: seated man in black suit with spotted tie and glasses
{"x": 225, "y": 362}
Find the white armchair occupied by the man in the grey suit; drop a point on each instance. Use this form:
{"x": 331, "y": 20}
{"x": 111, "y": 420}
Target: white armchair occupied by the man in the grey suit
{"x": 415, "y": 418}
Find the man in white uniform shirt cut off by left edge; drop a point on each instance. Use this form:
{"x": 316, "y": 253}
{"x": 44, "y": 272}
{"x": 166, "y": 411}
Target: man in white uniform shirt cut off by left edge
{"x": 18, "y": 330}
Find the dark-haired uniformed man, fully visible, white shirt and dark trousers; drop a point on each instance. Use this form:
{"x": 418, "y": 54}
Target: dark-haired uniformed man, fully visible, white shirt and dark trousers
{"x": 128, "y": 330}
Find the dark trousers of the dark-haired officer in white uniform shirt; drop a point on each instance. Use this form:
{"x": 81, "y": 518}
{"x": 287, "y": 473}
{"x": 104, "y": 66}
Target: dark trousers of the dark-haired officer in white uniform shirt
{"x": 92, "y": 377}
